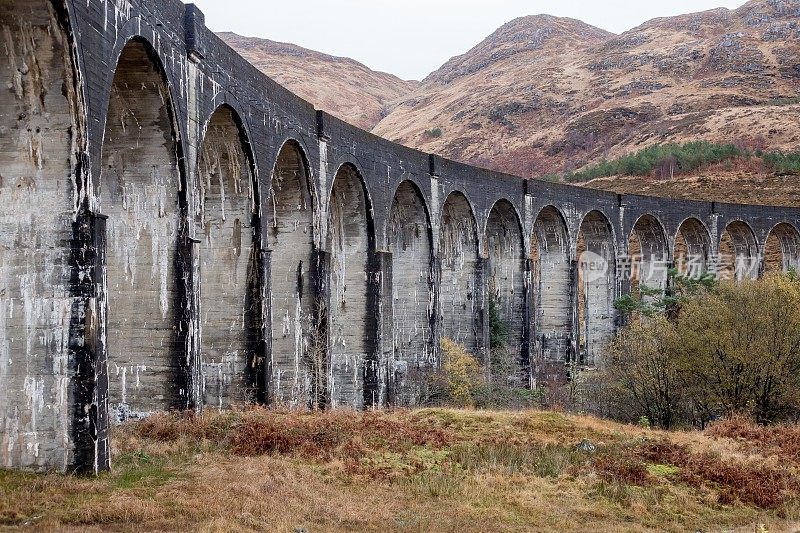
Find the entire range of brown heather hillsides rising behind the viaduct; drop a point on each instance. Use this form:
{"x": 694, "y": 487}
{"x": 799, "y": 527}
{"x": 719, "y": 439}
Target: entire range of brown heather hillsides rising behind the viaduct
{"x": 547, "y": 95}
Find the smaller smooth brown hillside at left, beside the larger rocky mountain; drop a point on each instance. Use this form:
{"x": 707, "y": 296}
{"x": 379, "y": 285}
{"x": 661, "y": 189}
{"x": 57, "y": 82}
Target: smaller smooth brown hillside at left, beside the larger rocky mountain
{"x": 341, "y": 86}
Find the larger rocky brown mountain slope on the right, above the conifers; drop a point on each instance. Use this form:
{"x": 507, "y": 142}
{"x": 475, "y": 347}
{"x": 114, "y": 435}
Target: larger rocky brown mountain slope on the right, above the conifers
{"x": 544, "y": 94}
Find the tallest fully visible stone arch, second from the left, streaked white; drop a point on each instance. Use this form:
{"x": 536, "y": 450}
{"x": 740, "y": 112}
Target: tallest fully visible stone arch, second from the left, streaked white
{"x": 142, "y": 192}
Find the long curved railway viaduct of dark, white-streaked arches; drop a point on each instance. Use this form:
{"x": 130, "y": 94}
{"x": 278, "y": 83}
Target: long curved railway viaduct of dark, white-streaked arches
{"x": 178, "y": 231}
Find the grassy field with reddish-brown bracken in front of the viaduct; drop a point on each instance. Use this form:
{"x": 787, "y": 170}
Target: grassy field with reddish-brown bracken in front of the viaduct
{"x": 425, "y": 470}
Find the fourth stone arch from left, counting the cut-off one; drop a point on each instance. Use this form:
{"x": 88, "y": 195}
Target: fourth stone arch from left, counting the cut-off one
{"x": 296, "y": 360}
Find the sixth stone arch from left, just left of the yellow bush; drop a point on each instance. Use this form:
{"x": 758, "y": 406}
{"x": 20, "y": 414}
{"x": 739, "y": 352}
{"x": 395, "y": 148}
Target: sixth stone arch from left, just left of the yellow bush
{"x": 414, "y": 354}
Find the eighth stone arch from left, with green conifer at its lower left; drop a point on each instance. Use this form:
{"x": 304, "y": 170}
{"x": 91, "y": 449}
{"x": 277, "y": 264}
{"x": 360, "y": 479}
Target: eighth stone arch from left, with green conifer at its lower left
{"x": 505, "y": 254}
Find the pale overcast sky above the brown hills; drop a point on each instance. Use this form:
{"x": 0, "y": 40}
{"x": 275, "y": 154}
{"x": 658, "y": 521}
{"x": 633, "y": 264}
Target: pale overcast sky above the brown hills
{"x": 412, "y": 38}
